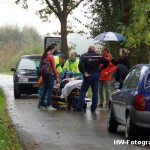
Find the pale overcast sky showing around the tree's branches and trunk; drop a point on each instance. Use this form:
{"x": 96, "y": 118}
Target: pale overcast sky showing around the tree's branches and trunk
{"x": 13, "y": 14}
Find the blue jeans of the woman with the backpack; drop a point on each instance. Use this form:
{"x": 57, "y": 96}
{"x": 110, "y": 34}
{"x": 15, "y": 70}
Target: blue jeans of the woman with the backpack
{"x": 48, "y": 89}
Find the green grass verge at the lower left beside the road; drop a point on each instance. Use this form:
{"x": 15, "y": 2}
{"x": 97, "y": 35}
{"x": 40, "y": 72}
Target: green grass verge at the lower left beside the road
{"x": 8, "y": 137}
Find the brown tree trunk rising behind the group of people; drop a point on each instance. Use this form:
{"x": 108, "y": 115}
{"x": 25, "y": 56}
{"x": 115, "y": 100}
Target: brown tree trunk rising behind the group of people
{"x": 64, "y": 45}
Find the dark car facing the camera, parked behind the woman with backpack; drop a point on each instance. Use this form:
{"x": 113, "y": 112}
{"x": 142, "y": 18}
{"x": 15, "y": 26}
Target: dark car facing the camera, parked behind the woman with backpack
{"x": 25, "y": 79}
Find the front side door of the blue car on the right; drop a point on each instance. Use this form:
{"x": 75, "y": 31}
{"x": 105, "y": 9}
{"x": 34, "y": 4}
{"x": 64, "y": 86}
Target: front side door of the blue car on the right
{"x": 119, "y": 98}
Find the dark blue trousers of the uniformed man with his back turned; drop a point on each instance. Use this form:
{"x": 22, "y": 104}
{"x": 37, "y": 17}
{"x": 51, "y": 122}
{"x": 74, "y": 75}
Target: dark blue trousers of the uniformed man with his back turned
{"x": 92, "y": 81}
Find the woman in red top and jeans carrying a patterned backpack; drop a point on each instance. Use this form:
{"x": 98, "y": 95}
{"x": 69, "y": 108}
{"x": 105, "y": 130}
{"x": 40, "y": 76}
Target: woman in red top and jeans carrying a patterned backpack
{"x": 49, "y": 74}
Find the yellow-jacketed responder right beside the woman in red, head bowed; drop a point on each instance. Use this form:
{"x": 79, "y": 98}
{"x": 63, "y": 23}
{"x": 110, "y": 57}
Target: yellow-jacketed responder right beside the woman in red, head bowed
{"x": 59, "y": 61}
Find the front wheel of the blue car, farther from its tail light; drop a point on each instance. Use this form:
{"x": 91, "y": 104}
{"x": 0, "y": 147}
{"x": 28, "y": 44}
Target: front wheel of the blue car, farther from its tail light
{"x": 112, "y": 125}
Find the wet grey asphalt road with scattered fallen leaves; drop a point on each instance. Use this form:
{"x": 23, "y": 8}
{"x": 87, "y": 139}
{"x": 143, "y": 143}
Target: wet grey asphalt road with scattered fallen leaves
{"x": 60, "y": 129}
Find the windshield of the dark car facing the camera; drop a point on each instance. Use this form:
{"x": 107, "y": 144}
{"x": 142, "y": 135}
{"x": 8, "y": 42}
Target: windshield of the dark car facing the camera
{"x": 28, "y": 63}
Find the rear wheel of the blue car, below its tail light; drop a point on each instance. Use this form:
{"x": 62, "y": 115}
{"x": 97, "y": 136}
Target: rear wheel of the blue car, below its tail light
{"x": 131, "y": 129}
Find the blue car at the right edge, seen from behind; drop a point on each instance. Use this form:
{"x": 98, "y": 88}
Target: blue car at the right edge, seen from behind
{"x": 130, "y": 106}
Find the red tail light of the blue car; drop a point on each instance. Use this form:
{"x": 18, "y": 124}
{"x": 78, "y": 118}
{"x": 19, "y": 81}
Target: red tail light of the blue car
{"x": 140, "y": 102}
